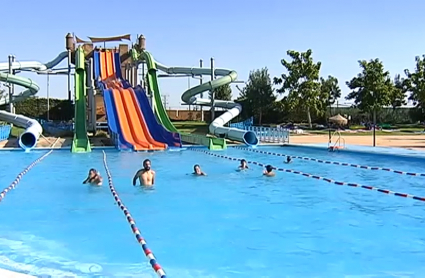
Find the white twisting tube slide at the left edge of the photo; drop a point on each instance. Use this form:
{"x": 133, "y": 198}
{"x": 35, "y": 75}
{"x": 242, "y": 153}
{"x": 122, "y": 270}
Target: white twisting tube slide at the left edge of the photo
{"x": 33, "y": 129}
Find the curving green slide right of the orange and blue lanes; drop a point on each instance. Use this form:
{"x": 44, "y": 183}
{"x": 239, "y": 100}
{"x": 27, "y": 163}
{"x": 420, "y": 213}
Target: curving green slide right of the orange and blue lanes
{"x": 211, "y": 142}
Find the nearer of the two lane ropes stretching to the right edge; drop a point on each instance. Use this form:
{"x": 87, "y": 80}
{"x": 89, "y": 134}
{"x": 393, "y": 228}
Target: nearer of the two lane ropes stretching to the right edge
{"x": 369, "y": 187}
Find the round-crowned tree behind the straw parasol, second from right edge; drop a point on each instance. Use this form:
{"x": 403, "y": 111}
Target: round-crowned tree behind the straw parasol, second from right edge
{"x": 372, "y": 88}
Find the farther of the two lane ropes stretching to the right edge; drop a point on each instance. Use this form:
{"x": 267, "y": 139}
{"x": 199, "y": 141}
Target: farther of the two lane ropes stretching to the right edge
{"x": 335, "y": 162}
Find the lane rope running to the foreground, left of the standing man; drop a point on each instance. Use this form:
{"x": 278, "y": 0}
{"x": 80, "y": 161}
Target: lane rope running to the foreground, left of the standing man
{"x": 148, "y": 253}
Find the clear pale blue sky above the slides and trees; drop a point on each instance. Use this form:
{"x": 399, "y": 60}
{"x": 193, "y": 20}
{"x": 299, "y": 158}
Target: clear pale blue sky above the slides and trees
{"x": 240, "y": 35}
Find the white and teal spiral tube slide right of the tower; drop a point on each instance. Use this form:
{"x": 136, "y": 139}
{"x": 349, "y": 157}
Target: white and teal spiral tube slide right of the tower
{"x": 217, "y": 126}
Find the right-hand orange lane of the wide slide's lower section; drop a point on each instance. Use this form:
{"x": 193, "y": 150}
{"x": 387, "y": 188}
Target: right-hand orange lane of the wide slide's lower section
{"x": 138, "y": 126}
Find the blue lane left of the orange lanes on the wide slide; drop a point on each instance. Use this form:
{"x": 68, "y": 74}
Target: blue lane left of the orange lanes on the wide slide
{"x": 113, "y": 123}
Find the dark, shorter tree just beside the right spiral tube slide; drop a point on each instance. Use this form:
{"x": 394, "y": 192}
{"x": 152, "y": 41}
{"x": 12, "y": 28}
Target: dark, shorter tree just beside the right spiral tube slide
{"x": 258, "y": 94}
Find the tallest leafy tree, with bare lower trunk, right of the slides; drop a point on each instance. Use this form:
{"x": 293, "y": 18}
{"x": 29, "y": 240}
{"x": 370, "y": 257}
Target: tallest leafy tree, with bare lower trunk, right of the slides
{"x": 301, "y": 82}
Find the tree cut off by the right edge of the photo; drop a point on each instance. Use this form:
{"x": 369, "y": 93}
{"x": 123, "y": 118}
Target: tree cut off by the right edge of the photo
{"x": 415, "y": 82}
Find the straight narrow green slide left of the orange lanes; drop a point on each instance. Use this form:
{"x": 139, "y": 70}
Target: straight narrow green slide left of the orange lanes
{"x": 81, "y": 142}
